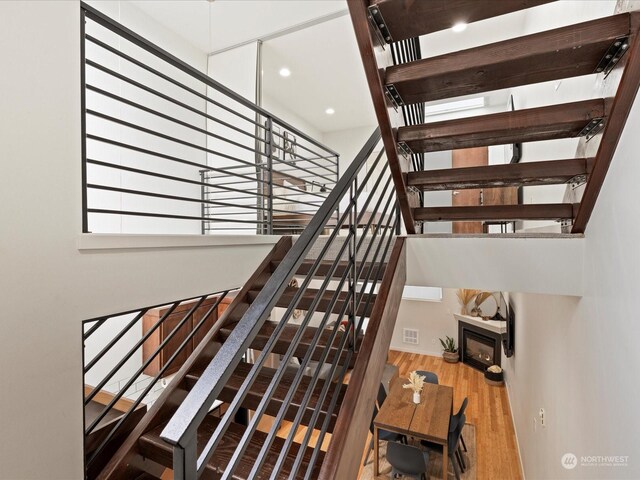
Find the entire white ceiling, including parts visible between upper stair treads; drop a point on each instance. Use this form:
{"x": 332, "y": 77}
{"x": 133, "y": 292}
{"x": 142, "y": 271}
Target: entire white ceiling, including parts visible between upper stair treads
{"x": 324, "y": 59}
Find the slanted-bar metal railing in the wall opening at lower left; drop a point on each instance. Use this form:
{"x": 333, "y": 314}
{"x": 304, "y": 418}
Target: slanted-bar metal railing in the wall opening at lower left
{"x": 124, "y": 358}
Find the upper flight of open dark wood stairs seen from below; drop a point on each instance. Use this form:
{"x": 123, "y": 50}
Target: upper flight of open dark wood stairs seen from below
{"x": 599, "y": 47}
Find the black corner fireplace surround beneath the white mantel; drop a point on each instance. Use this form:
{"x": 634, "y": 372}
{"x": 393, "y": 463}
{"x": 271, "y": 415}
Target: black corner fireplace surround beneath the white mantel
{"x": 479, "y": 348}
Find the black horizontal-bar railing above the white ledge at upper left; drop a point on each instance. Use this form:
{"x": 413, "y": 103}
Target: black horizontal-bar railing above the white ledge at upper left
{"x": 167, "y": 149}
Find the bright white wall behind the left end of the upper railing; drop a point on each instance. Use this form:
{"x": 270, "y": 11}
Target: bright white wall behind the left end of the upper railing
{"x": 131, "y": 17}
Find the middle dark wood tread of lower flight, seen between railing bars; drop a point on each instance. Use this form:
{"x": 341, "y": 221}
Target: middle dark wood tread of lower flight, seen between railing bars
{"x": 283, "y": 343}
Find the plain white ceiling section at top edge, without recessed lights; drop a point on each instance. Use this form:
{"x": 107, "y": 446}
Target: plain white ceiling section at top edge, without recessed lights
{"x": 214, "y": 26}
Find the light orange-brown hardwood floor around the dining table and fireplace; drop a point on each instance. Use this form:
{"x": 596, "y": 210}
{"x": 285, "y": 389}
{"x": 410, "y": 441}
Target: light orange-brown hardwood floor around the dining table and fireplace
{"x": 488, "y": 410}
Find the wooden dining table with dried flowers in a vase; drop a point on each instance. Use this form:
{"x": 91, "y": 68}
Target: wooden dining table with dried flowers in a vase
{"x": 428, "y": 420}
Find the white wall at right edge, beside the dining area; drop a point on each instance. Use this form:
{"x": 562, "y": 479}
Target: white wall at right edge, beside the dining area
{"x": 577, "y": 358}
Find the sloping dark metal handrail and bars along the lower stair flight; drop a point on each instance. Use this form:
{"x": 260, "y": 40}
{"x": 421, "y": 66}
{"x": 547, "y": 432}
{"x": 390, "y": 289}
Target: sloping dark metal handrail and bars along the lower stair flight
{"x": 361, "y": 243}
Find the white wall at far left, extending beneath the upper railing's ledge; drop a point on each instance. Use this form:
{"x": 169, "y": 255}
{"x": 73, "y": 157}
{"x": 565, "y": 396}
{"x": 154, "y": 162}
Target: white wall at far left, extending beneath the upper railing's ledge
{"x": 48, "y": 286}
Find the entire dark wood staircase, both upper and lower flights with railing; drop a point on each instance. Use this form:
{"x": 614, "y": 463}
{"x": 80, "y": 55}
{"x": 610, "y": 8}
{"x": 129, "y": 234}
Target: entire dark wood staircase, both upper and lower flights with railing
{"x": 296, "y": 359}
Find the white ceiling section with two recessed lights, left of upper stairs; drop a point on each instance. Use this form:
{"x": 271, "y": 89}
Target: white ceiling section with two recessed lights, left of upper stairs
{"x": 326, "y": 72}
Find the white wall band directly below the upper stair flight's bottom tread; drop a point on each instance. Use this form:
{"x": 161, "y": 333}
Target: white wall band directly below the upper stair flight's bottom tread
{"x": 524, "y": 264}
